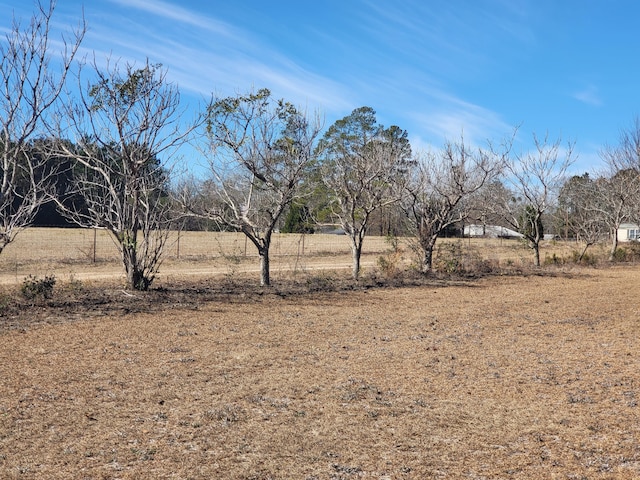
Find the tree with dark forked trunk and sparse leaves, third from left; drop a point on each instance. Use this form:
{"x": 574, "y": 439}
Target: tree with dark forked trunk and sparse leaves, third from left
{"x": 259, "y": 151}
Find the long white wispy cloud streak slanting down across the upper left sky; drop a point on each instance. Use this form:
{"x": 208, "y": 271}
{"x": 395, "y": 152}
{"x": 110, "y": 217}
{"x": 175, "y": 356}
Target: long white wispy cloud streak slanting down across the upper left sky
{"x": 205, "y": 55}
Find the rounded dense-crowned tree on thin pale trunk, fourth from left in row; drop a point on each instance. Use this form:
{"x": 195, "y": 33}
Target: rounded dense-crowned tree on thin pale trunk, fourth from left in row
{"x": 364, "y": 167}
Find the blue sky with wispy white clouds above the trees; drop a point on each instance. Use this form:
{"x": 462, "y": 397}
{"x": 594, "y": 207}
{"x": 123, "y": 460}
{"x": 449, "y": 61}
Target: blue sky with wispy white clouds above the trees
{"x": 435, "y": 68}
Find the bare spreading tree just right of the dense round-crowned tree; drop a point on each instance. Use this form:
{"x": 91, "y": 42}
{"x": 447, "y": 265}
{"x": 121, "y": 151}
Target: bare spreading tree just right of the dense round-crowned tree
{"x": 441, "y": 186}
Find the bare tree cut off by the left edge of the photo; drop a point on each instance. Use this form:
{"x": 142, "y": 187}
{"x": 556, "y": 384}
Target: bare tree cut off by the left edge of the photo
{"x": 31, "y": 83}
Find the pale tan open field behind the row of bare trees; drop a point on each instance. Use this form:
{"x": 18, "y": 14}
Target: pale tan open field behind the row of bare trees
{"x": 87, "y": 254}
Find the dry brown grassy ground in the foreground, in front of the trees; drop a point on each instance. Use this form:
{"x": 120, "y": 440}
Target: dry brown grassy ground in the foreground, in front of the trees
{"x": 517, "y": 377}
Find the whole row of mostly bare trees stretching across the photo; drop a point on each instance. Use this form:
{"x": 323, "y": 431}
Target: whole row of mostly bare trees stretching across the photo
{"x": 103, "y": 151}
